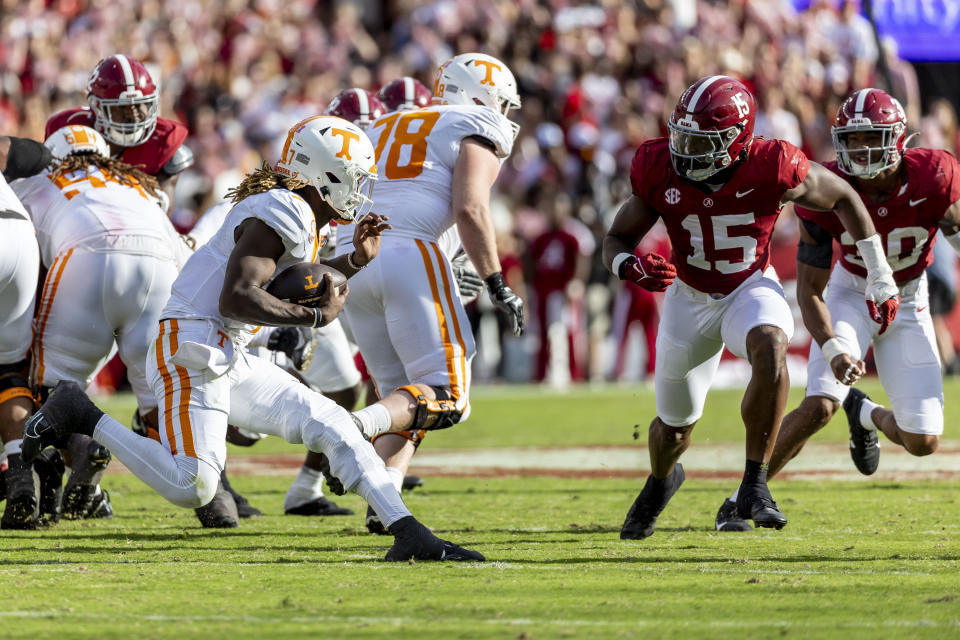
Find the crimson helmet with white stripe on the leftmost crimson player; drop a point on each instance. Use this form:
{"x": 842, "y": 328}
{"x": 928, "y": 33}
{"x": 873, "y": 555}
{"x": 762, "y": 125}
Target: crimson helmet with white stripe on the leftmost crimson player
{"x": 119, "y": 90}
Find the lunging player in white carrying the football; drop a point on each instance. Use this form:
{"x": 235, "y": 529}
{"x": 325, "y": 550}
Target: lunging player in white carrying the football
{"x": 199, "y": 369}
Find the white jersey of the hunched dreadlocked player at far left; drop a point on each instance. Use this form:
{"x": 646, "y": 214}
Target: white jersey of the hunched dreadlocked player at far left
{"x": 86, "y": 209}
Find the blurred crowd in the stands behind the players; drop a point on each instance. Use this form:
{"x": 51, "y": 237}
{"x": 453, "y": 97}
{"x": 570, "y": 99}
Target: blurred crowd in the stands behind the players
{"x": 596, "y": 78}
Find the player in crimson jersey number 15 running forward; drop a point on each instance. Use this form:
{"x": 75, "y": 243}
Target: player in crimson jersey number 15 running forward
{"x": 719, "y": 203}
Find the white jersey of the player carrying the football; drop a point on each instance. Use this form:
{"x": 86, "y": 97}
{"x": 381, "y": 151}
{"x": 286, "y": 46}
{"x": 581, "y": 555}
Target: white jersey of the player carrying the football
{"x": 196, "y": 292}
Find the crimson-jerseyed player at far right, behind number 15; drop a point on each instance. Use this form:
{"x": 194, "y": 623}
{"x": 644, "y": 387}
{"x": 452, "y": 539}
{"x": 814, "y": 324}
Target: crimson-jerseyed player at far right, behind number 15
{"x": 910, "y": 193}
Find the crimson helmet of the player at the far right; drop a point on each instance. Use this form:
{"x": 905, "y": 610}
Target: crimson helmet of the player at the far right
{"x": 870, "y": 111}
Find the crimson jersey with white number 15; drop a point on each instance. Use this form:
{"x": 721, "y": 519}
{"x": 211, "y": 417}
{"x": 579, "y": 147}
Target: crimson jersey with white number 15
{"x": 719, "y": 238}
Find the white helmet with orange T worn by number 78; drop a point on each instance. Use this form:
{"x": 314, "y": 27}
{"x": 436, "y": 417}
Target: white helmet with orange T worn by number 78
{"x": 476, "y": 78}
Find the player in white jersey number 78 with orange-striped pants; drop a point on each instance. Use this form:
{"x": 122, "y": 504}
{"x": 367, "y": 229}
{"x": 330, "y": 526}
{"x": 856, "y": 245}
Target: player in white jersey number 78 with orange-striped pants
{"x": 436, "y": 167}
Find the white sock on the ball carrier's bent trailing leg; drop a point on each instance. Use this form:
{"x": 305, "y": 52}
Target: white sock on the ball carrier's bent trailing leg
{"x": 186, "y": 482}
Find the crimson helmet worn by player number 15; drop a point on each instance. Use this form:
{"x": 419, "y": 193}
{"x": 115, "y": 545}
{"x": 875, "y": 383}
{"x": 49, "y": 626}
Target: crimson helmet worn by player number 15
{"x": 711, "y": 126}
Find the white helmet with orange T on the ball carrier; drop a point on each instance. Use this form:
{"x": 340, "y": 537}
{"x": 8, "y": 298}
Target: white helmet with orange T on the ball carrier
{"x": 337, "y": 158}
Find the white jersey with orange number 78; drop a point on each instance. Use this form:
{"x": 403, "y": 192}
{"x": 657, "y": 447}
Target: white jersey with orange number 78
{"x": 416, "y": 155}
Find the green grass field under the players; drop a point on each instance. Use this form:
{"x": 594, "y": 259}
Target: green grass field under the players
{"x": 873, "y": 559}
